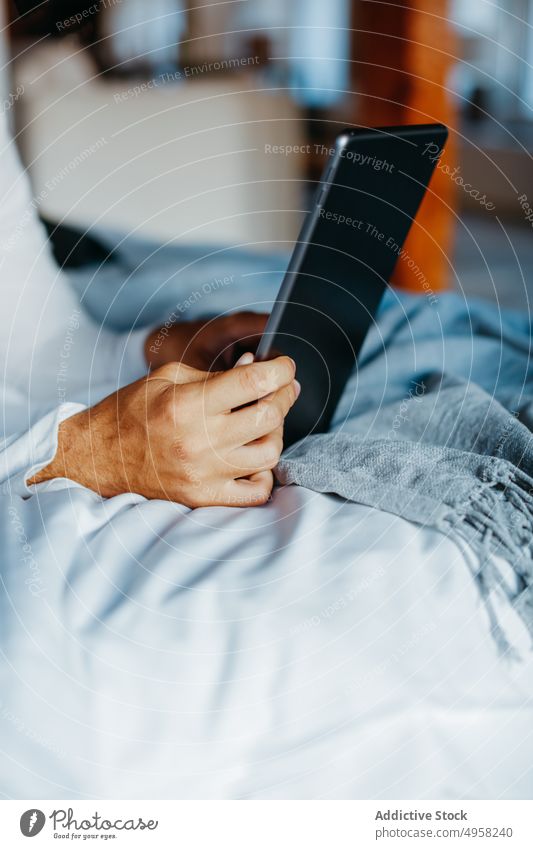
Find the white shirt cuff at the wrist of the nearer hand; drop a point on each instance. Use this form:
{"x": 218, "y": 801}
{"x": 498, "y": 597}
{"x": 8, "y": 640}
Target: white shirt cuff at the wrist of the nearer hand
{"x": 23, "y": 455}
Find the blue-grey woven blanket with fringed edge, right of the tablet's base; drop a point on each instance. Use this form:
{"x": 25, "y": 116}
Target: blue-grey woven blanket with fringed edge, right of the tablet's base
{"x": 444, "y": 451}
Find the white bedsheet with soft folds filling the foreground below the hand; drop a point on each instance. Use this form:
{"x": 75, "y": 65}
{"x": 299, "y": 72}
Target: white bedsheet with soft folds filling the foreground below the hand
{"x": 309, "y": 648}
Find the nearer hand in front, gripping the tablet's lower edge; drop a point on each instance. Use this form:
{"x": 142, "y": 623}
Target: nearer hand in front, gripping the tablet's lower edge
{"x": 183, "y": 435}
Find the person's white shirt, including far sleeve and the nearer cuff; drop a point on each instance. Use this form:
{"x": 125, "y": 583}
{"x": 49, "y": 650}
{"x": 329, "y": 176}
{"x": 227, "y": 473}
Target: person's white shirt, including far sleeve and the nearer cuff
{"x": 54, "y": 358}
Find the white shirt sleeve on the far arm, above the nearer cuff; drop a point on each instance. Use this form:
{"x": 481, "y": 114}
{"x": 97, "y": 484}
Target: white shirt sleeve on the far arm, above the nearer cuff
{"x": 41, "y": 320}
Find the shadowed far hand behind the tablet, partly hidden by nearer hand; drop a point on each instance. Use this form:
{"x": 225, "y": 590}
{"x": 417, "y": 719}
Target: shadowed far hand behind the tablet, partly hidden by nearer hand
{"x": 205, "y": 345}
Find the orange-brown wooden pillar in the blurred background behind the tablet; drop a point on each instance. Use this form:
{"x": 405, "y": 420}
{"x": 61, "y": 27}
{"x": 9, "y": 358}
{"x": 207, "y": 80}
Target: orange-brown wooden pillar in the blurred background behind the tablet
{"x": 403, "y": 51}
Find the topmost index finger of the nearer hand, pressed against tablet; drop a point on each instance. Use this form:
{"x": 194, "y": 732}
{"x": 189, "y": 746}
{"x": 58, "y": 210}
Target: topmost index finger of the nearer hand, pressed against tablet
{"x": 248, "y": 383}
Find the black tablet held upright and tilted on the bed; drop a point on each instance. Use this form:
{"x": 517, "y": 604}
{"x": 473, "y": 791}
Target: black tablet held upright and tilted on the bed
{"x": 350, "y": 241}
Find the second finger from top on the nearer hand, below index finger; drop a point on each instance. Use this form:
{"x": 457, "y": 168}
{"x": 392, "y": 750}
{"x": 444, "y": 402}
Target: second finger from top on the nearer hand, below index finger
{"x": 258, "y": 420}
